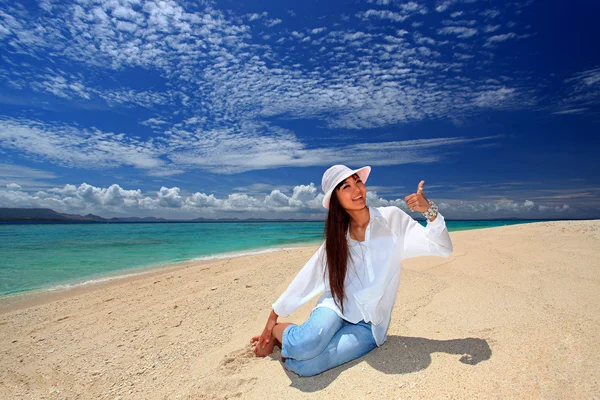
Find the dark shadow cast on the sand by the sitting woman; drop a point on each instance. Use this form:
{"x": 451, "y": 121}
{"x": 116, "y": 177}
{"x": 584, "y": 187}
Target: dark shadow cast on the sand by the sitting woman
{"x": 401, "y": 355}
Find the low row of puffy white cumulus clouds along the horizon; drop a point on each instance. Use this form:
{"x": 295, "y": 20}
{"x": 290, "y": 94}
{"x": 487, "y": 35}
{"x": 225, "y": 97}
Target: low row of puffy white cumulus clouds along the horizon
{"x": 304, "y": 201}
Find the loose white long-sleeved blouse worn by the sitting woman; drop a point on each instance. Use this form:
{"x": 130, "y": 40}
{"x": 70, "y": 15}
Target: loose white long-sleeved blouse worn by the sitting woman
{"x": 373, "y": 273}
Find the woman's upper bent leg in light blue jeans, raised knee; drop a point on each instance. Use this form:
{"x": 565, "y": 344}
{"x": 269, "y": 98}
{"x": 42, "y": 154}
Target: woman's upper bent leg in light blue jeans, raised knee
{"x": 302, "y": 342}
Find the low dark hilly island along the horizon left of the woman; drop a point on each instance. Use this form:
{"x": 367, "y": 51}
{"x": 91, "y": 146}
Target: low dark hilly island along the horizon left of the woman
{"x": 49, "y": 215}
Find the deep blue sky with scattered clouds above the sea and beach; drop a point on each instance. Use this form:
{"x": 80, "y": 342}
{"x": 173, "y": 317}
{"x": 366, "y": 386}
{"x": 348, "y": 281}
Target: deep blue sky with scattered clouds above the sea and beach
{"x": 228, "y": 108}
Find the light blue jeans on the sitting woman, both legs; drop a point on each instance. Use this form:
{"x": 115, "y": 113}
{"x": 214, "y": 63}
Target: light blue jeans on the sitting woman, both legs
{"x": 324, "y": 341}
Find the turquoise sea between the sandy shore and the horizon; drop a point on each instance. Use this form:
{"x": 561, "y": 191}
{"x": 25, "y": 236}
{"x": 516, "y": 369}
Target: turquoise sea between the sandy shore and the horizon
{"x": 50, "y": 256}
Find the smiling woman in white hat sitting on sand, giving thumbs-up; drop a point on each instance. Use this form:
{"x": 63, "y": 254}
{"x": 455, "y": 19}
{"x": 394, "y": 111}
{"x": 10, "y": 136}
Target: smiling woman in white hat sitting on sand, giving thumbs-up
{"x": 357, "y": 269}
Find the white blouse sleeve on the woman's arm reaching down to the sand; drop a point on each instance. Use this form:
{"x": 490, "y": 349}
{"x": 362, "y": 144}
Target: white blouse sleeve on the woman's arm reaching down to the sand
{"x": 309, "y": 282}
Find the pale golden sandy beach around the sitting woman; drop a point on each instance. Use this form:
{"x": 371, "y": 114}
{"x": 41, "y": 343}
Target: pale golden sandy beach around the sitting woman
{"x": 514, "y": 312}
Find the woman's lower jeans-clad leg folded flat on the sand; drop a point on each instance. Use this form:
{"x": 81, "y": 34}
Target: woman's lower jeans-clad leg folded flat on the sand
{"x": 349, "y": 342}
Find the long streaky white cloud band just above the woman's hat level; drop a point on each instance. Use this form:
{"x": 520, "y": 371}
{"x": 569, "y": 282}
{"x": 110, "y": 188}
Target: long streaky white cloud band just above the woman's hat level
{"x": 252, "y": 147}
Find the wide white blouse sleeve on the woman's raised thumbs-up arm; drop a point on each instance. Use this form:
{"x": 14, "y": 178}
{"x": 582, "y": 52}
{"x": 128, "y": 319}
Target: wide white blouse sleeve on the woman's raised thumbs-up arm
{"x": 430, "y": 240}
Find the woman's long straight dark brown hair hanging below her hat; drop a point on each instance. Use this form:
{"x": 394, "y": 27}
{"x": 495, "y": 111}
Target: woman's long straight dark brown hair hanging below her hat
{"x": 336, "y": 247}
